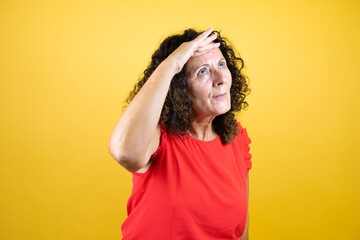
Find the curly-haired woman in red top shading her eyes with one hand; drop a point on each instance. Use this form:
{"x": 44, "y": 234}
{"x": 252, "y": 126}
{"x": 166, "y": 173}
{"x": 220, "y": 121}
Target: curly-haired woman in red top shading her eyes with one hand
{"x": 179, "y": 138}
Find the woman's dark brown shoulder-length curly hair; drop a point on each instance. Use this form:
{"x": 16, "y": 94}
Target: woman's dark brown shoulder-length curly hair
{"x": 177, "y": 114}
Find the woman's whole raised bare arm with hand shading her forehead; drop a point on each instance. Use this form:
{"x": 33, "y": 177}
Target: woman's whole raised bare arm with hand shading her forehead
{"x": 136, "y": 135}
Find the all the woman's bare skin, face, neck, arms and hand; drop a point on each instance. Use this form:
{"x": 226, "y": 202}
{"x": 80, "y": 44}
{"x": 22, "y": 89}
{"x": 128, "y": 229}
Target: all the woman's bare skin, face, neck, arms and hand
{"x": 136, "y": 135}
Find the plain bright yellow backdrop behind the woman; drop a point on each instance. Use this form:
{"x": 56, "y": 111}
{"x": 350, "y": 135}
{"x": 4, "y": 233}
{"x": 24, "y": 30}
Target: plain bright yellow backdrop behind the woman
{"x": 67, "y": 66}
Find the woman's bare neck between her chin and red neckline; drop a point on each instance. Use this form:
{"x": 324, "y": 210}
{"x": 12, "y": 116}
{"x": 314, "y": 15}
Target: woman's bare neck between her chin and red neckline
{"x": 202, "y": 129}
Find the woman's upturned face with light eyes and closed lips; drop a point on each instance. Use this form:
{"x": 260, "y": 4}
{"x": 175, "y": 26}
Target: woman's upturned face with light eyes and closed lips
{"x": 209, "y": 82}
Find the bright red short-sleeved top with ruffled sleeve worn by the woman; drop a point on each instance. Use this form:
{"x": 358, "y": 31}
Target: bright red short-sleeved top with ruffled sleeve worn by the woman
{"x": 193, "y": 189}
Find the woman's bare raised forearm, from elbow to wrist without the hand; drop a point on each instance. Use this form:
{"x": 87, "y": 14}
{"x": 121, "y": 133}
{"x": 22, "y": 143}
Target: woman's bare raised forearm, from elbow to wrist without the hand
{"x": 137, "y": 125}
